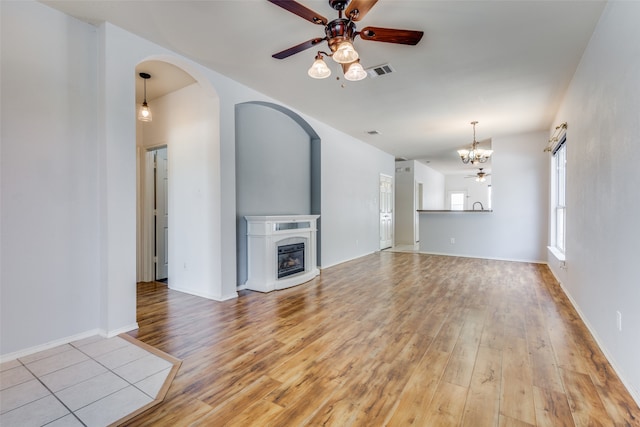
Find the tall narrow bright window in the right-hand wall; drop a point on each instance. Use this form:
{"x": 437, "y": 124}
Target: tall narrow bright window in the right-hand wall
{"x": 559, "y": 194}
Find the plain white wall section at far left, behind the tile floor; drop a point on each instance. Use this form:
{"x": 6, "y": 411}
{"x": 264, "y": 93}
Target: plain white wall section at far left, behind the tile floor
{"x": 50, "y": 266}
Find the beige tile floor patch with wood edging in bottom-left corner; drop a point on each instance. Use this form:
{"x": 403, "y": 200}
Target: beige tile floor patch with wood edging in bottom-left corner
{"x": 91, "y": 382}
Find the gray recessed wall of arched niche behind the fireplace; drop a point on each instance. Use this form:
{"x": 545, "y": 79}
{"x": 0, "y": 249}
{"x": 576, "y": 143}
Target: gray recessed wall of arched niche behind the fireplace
{"x": 274, "y": 168}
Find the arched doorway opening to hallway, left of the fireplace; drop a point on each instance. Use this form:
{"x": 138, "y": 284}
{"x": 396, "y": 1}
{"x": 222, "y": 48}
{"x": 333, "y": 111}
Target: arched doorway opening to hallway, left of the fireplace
{"x": 185, "y": 110}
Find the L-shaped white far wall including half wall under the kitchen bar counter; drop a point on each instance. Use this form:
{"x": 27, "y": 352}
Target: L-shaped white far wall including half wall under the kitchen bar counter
{"x": 517, "y": 228}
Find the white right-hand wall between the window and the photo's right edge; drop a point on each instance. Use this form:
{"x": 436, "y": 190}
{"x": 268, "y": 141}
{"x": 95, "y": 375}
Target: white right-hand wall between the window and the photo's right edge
{"x": 601, "y": 109}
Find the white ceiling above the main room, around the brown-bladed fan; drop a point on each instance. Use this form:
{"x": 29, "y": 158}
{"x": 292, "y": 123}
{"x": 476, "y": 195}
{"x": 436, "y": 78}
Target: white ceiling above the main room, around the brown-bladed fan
{"x": 505, "y": 64}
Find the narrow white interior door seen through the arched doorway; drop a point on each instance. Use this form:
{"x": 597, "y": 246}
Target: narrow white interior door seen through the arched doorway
{"x": 161, "y": 214}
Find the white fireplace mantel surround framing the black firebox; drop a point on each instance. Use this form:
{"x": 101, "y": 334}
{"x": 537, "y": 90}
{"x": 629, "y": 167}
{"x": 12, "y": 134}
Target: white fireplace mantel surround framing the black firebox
{"x": 264, "y": 235}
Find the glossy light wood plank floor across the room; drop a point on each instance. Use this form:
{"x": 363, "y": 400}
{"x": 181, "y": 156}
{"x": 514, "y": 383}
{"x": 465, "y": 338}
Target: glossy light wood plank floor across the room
{"x": 387, "y": 339}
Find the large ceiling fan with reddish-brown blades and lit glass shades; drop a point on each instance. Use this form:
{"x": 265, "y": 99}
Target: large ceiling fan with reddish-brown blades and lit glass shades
{"x": 340, "y": 34}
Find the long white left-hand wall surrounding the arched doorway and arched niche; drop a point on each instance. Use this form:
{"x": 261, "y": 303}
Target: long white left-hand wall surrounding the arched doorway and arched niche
{"x": 73, "y": 271}
